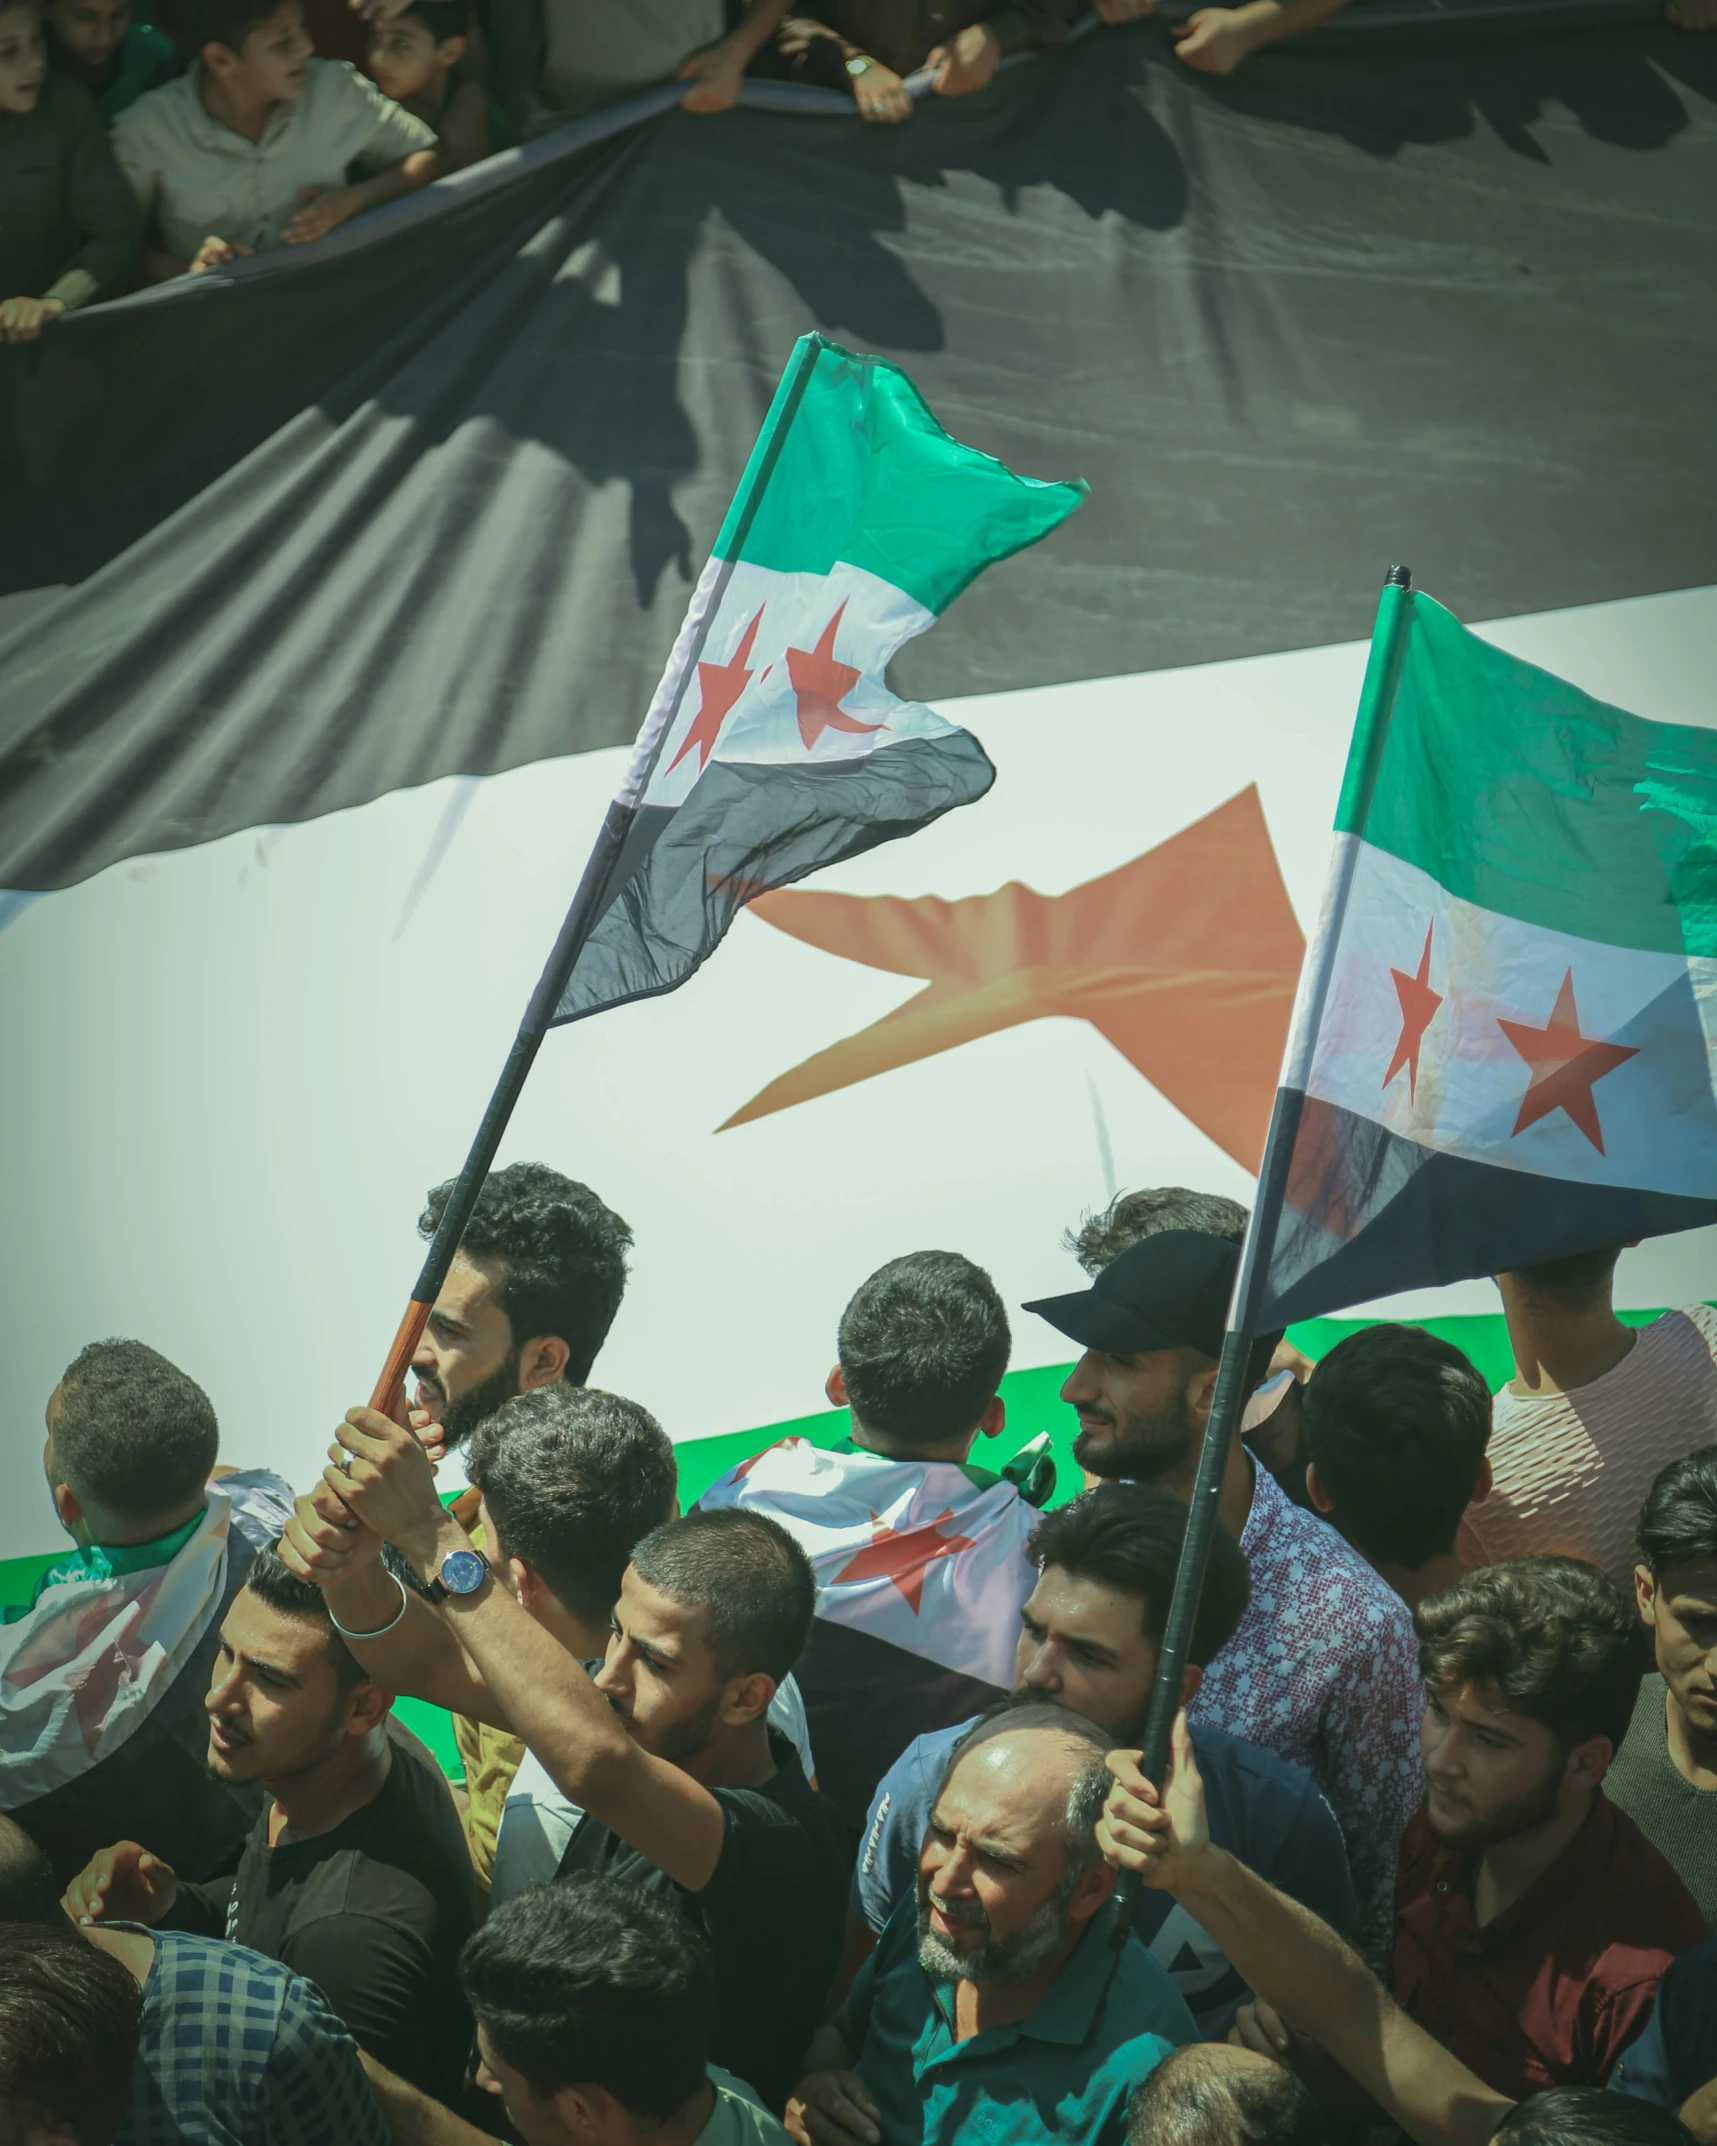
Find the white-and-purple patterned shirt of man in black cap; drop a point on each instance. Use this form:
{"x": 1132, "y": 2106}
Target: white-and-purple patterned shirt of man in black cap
{"x": 1325, "y": 1673}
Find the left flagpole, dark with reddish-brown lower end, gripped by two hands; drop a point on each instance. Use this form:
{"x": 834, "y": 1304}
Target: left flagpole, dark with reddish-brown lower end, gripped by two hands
{"x": 596, "y": 887}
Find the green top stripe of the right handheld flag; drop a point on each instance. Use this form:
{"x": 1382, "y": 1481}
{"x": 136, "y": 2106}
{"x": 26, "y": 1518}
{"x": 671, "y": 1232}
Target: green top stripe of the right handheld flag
{"x": 1525, "y": 795}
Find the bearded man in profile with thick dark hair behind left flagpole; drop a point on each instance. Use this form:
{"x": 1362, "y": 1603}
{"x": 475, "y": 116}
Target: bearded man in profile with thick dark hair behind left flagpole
{"x": 527, "y": 1304}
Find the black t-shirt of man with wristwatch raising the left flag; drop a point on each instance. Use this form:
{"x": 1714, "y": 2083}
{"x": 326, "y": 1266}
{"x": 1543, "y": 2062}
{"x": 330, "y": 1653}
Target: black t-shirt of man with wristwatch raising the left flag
{"x": 774, "y": 1915}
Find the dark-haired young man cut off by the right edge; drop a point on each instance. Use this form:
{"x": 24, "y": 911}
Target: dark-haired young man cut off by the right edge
{"x": 1667, "y": 1769}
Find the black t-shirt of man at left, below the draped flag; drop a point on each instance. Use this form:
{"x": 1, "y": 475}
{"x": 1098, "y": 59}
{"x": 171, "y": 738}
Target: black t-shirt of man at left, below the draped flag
{"x": 375, "y": 1913}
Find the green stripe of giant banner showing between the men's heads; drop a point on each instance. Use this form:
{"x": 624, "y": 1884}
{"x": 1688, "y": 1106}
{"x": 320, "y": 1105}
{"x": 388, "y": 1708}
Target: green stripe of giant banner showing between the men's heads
{"x": 1033, "y": 1405}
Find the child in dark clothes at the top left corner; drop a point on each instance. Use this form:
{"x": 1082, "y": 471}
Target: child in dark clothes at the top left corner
{"x": 70, "y": 226}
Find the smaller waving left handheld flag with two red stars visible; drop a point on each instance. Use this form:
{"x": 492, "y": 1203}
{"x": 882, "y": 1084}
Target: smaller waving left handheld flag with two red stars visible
{"x": 774, "y": 746}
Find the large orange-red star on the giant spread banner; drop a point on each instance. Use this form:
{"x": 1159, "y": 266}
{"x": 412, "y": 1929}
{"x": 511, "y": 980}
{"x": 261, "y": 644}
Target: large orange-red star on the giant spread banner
{"x": 1186, "y": 960}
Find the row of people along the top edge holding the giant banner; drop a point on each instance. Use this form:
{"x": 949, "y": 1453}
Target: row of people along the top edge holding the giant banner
{"x": 145, "y": 141}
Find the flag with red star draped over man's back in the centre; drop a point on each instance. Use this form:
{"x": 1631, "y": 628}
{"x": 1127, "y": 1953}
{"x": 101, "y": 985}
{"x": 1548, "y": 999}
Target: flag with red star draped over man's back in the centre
{"x": 922, "y": 1572}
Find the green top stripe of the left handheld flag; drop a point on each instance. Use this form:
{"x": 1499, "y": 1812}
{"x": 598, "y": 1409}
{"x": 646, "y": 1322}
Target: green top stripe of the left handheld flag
{"x": 853, "y": 467}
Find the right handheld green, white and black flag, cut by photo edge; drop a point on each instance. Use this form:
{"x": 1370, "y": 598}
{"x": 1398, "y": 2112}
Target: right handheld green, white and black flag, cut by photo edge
{"x": 1503, "y": 1042}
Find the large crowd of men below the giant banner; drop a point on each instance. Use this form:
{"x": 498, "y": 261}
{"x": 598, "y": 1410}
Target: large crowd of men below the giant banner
{"x": 1433, "y": 1851}
